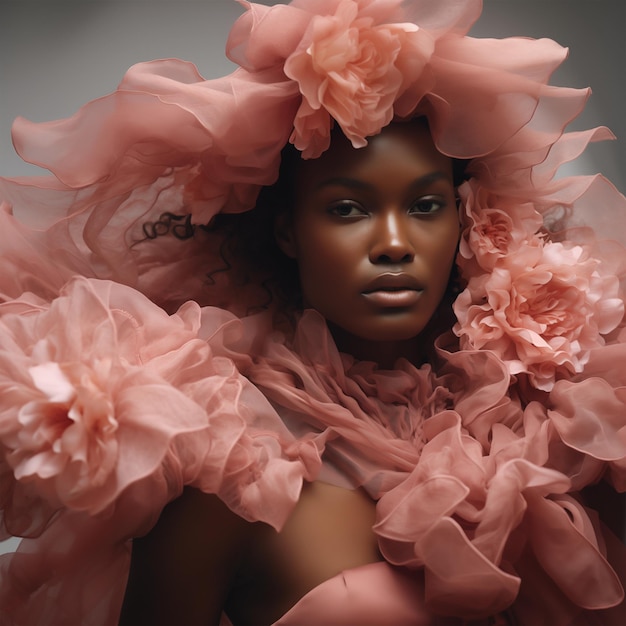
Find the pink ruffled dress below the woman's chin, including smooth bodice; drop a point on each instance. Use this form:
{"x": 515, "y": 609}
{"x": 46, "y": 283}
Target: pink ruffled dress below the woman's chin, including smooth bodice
{"x": 233, "y": 407}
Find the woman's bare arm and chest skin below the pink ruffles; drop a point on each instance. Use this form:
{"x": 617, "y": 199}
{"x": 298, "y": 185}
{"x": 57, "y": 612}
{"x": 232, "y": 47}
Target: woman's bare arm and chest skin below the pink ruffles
{"x": 201, "y": 557}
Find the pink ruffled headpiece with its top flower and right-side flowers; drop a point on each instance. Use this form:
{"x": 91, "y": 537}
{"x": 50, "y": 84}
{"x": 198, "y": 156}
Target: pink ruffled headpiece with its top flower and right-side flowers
{"x": 168, "y": 140}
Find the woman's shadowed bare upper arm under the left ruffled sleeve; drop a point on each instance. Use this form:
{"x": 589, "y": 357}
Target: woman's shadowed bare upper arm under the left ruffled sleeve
{"x": 181, "y": 572}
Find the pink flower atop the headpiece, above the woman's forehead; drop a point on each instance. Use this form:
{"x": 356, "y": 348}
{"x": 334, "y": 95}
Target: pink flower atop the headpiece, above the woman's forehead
{"x": 351, "y": 69}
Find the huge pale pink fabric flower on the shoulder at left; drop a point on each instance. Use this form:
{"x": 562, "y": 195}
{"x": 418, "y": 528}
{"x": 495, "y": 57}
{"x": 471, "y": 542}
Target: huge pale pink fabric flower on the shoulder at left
{"x": 95, "y": 387}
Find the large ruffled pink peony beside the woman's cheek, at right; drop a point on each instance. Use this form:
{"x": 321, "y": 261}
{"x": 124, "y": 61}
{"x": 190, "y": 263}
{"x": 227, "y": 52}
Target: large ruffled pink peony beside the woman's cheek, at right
{"x": 541, "y": 310}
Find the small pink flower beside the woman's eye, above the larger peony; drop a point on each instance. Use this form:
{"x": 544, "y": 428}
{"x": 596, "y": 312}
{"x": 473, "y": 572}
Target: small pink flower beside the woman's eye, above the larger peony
{"x": 495, "y": 226}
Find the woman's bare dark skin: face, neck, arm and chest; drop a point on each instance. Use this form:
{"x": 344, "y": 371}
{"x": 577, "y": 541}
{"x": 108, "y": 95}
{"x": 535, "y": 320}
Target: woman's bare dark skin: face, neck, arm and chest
{"x": 388, "y": 210}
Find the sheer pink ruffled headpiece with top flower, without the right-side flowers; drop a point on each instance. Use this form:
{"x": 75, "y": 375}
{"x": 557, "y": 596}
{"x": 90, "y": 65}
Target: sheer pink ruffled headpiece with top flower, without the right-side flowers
{"x": 167, "y": 140}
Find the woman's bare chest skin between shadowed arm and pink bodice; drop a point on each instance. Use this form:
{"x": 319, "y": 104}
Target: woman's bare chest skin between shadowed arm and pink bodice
{"x": 329, "y": 531}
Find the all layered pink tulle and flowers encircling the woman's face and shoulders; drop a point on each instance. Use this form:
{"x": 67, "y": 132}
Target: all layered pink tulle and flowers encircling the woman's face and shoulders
{"x": 126, "y": 372}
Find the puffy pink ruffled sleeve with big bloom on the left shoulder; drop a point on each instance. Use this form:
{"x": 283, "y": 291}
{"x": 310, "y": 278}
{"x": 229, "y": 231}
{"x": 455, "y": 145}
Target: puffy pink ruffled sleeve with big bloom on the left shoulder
{"x": 109, "y": 406}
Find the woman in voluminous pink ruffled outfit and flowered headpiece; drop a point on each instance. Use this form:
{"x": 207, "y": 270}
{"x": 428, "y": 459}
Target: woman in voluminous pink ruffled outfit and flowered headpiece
{"x": 351, "y": 441}
